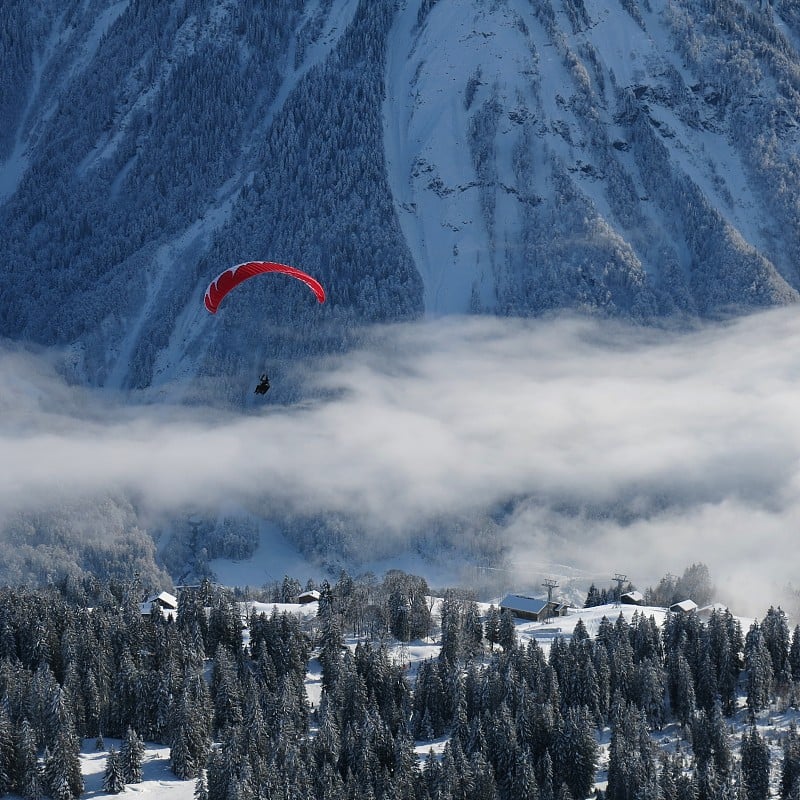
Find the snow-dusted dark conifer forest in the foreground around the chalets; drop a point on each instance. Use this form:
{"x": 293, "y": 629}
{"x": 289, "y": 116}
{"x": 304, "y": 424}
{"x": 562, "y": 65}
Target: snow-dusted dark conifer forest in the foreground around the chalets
{"x": 638, "y": 710}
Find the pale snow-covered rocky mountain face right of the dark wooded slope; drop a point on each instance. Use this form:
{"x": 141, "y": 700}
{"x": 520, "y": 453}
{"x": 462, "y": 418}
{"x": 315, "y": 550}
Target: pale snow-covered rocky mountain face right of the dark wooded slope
{"x": 522, "y": 140}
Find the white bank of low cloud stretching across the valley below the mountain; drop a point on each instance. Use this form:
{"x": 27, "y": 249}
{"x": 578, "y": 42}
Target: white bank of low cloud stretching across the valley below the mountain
{"x": 656, "y": 447}
